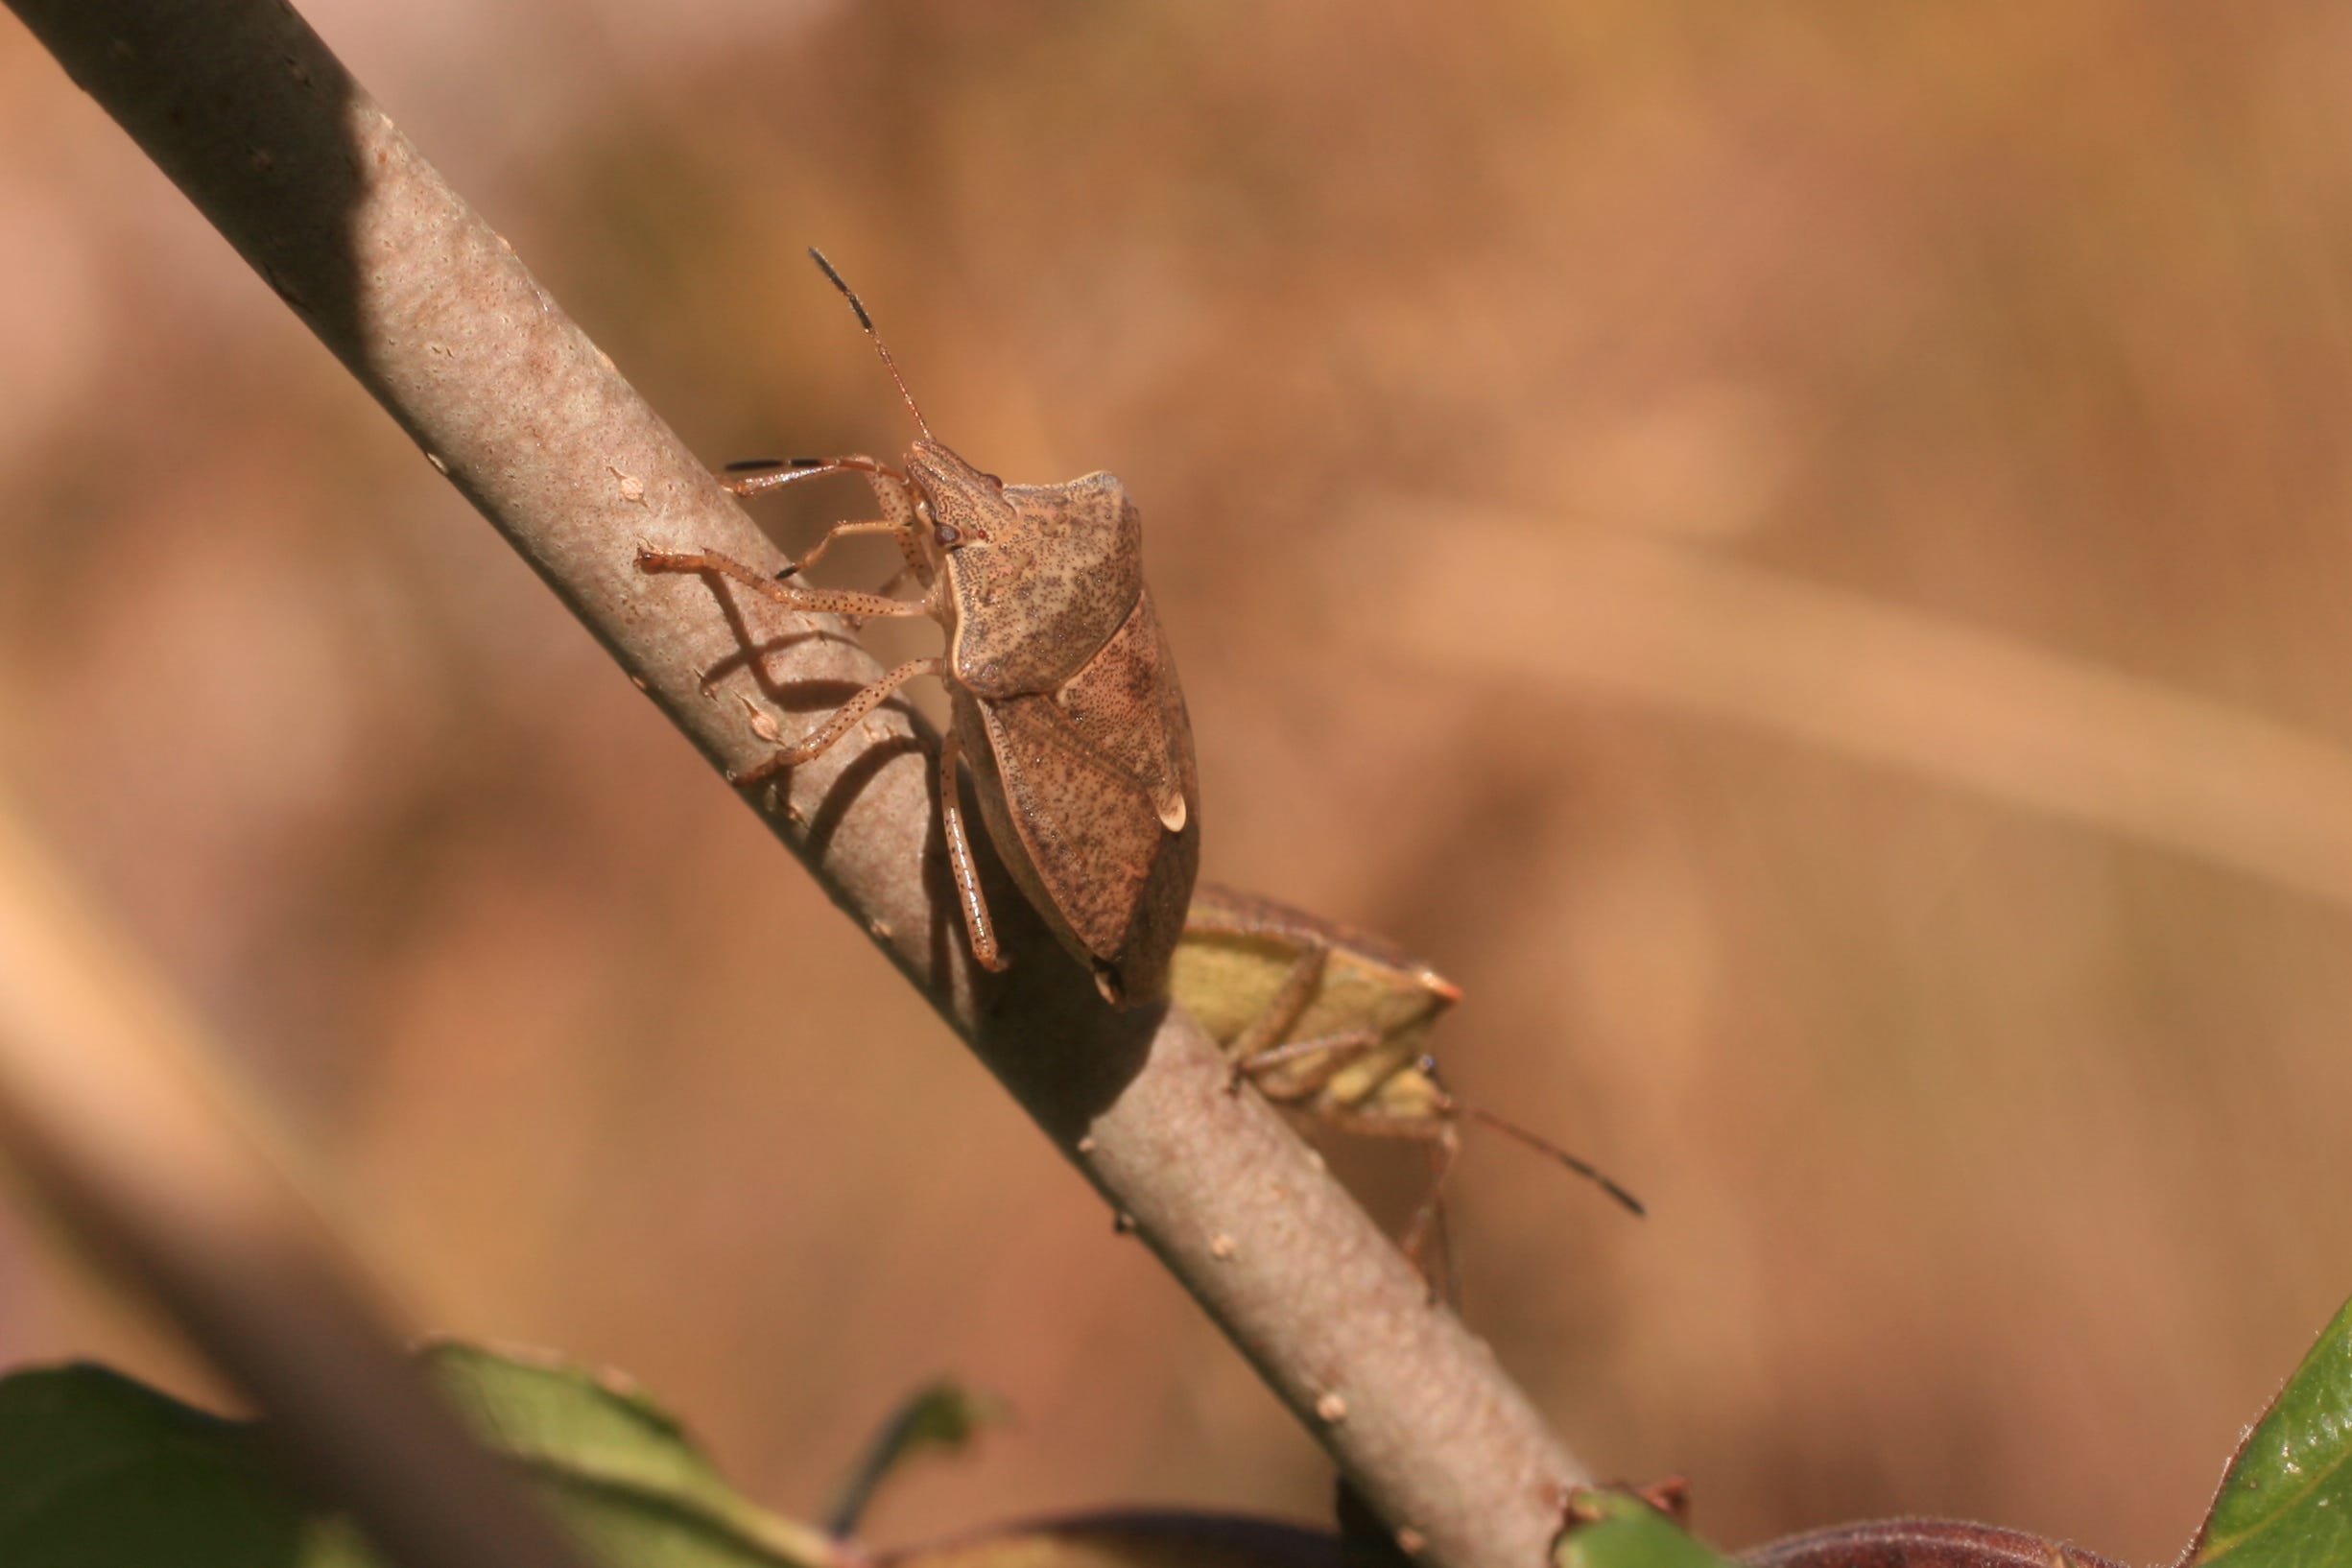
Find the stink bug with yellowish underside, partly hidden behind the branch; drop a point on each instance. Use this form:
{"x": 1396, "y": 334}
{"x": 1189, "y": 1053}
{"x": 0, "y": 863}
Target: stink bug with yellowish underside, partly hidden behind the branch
{"x": 1332, "y": 1024}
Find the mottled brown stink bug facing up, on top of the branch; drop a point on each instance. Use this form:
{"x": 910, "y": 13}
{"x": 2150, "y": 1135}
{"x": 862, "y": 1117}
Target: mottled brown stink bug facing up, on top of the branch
{"x": 1062, "y": 688}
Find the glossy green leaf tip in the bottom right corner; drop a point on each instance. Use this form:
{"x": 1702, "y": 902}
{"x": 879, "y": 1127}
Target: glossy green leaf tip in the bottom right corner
{"x": 2287, "y": 1501}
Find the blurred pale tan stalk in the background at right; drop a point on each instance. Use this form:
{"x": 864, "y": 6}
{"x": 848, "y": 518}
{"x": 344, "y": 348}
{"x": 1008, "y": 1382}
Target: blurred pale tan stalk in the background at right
{"x": 1956, "y": 704}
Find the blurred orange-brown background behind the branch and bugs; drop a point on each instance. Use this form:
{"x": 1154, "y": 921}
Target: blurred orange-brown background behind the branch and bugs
{"x": 1796, "y": 551}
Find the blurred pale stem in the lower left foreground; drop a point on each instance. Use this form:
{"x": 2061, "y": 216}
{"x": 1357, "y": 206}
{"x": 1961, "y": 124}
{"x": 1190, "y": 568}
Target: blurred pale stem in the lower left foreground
{"x": 107, "y": 1111}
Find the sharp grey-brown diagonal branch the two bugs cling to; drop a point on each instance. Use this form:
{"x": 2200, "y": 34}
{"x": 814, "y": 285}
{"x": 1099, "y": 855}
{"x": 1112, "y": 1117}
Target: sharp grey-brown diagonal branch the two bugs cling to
{"x": 243, "y": 107}
